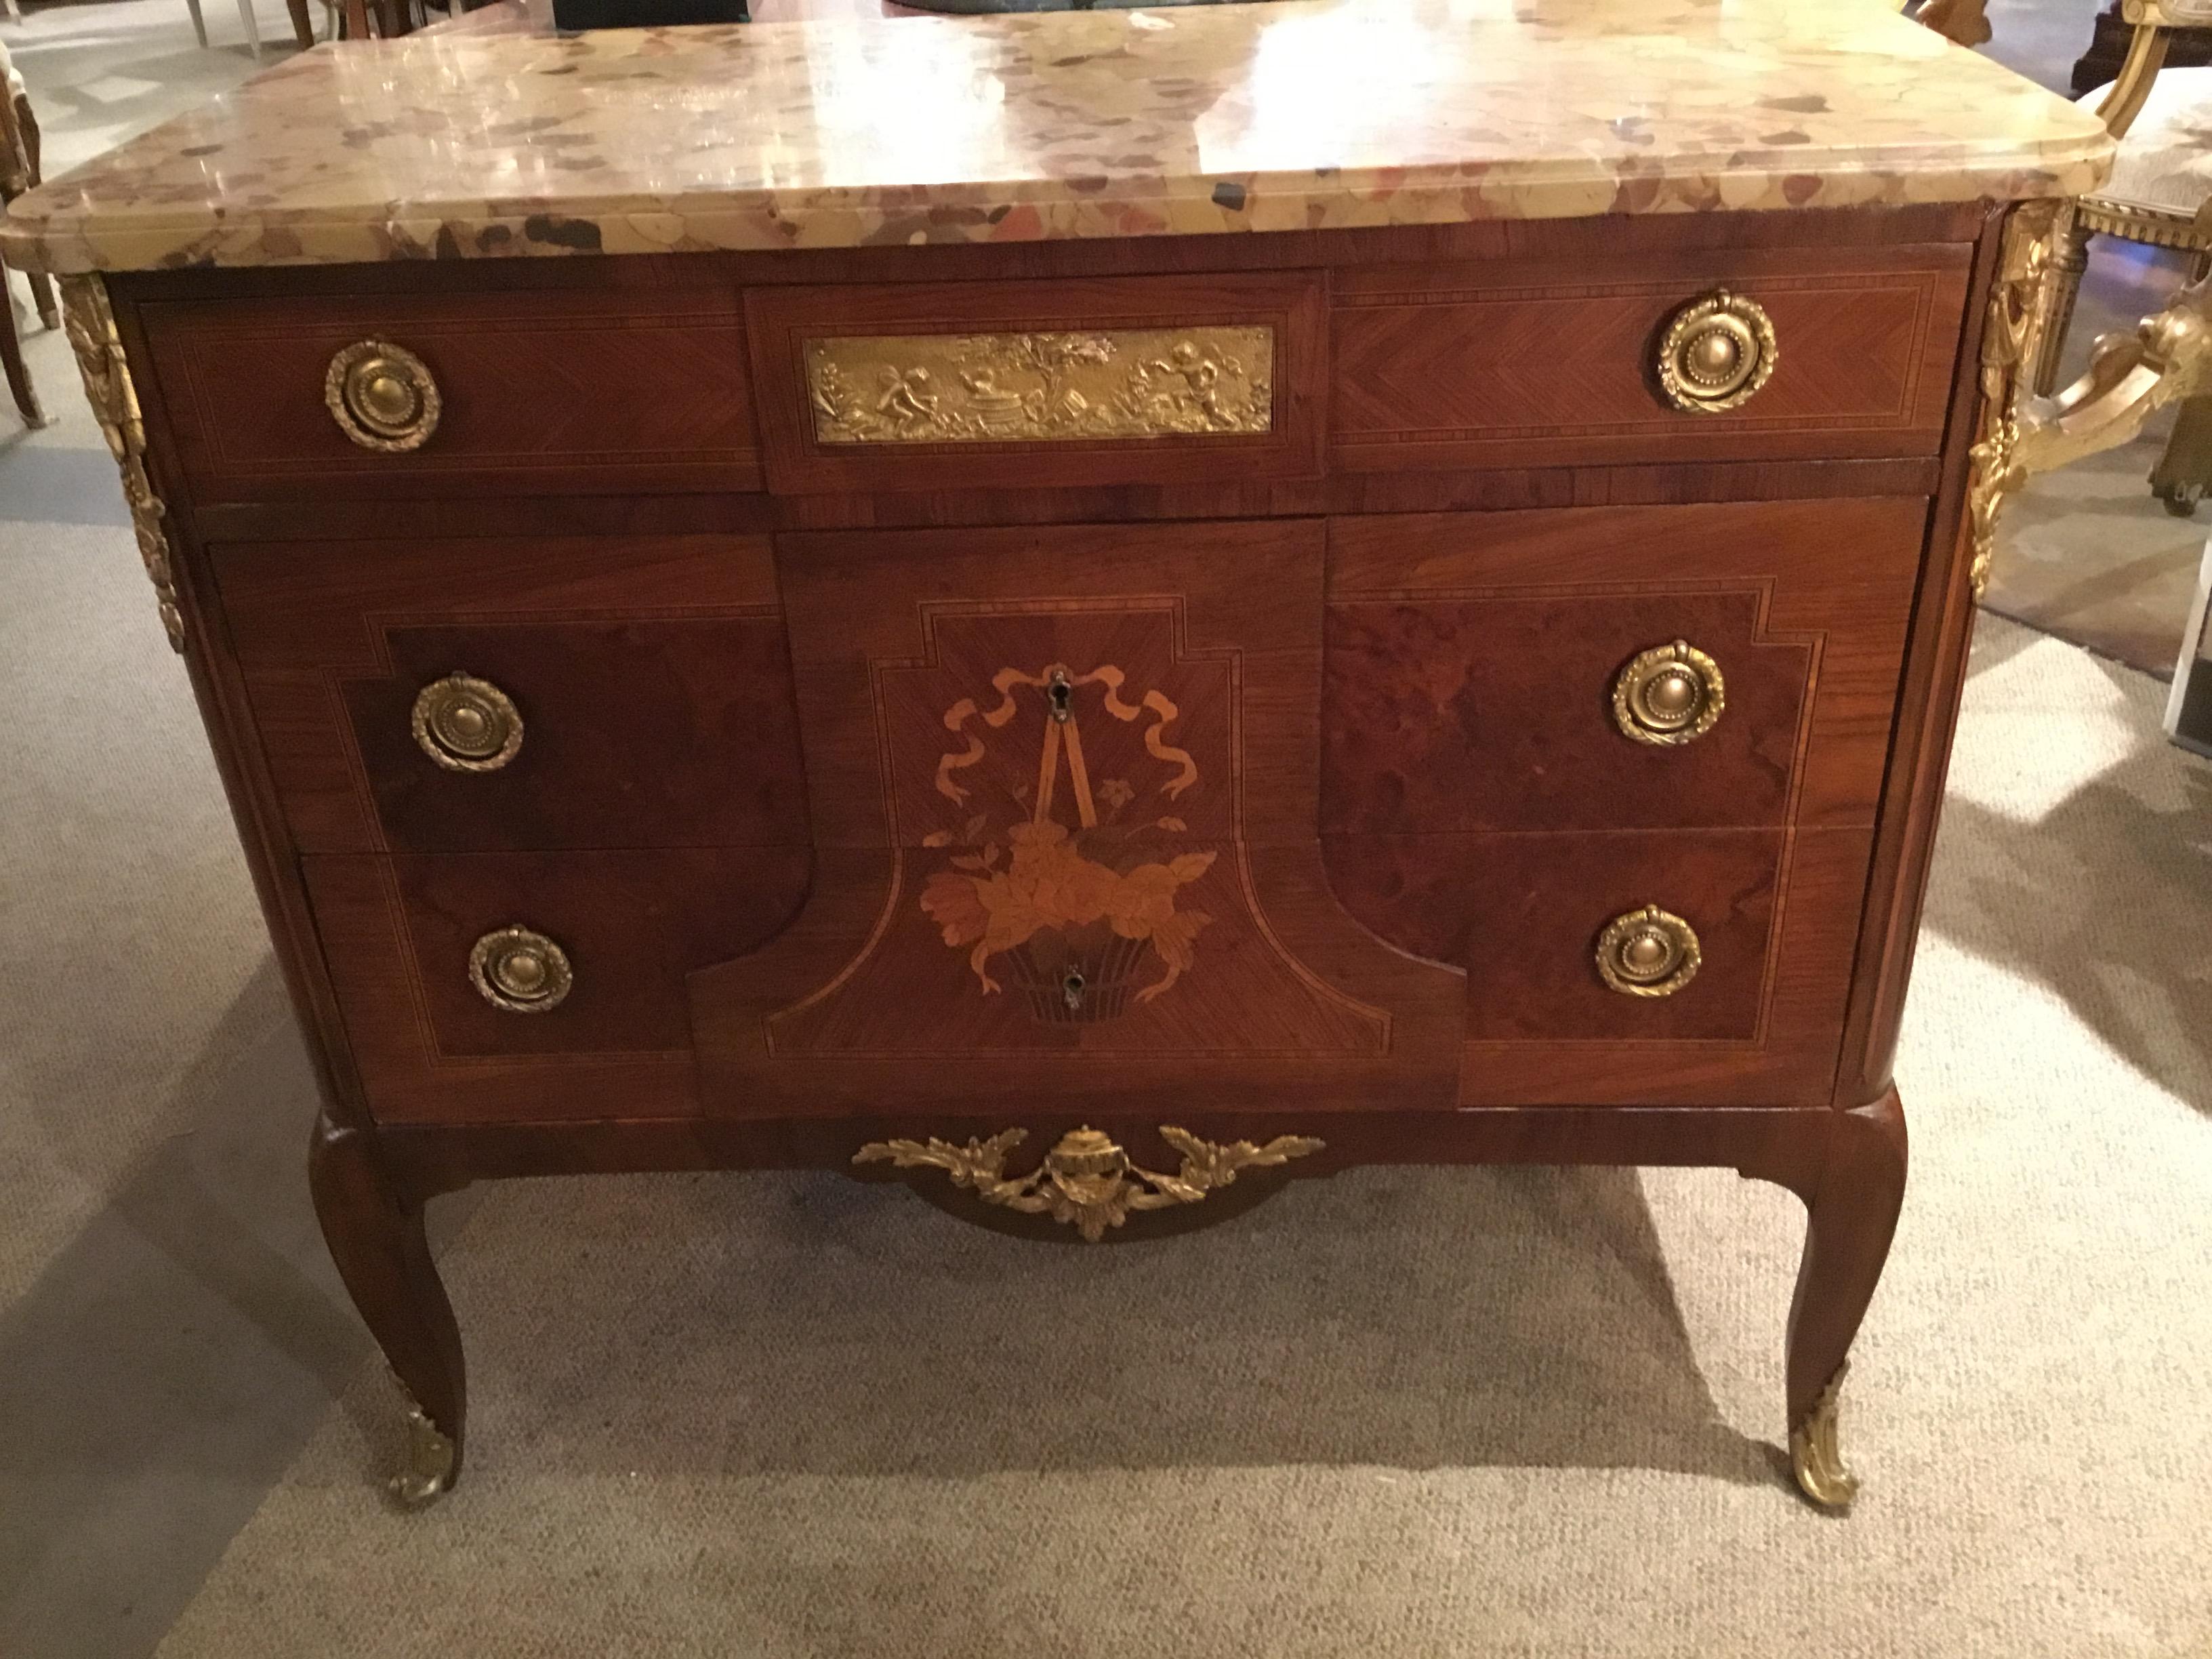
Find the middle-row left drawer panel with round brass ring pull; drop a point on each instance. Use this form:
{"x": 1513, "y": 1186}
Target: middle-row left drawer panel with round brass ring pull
{"x": 521, "y": 696}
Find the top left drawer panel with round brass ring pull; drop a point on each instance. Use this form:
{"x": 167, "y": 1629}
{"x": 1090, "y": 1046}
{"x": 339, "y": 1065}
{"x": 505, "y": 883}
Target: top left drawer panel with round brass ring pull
{"x": 536, "y": 393}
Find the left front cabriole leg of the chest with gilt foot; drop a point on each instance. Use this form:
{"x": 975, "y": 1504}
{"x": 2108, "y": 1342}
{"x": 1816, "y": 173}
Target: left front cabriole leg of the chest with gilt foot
{"x": 375, "y": 1233}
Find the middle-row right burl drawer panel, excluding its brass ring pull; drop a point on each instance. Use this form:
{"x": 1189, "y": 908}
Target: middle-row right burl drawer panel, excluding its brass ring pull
{"x": 1472, "y": 665}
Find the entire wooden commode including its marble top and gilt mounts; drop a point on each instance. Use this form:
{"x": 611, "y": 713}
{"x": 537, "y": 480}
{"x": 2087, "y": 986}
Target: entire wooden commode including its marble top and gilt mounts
{"x": 1235, "y": 594}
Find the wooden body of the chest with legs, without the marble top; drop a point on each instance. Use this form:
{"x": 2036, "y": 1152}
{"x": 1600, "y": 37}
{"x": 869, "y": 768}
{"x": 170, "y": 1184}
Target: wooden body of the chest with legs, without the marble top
{"x": 1098, "y": 740}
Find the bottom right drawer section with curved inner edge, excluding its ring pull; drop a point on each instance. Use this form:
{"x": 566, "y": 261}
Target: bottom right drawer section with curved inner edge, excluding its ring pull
{"x": 1757, "y": 1023}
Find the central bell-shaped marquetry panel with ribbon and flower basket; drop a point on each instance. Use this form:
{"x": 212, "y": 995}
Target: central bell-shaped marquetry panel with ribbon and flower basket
{"x": 1156, "y": 844}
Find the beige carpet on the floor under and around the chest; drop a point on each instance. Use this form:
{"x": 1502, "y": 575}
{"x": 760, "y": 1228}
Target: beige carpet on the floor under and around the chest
{"x": 1519, "y": 1412}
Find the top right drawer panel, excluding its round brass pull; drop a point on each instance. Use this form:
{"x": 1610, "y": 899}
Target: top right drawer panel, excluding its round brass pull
{"x": 1552, "y": 362}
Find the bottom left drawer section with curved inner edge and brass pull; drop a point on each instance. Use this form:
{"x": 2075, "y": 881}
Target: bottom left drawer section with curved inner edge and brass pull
{"x": 483, "y": 988}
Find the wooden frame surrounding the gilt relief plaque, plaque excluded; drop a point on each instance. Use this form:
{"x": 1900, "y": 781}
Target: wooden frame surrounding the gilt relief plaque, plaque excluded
{"x": 784, "y": 320}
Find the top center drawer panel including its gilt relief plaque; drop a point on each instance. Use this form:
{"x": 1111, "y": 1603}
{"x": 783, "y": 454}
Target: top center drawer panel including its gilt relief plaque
{"x": 1100, "y": 382}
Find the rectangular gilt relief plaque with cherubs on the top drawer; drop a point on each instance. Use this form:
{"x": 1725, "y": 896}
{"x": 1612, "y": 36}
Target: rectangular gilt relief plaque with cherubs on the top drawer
{"x": 1027, "y": 388}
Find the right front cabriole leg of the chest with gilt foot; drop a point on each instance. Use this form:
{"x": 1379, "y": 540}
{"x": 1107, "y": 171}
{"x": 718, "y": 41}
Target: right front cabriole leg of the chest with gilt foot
{"x": 1850, "y": 1215}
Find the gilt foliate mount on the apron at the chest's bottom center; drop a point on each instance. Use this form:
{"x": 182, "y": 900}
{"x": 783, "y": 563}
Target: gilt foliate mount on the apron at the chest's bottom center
{"x": 1087, "y": 1180}
